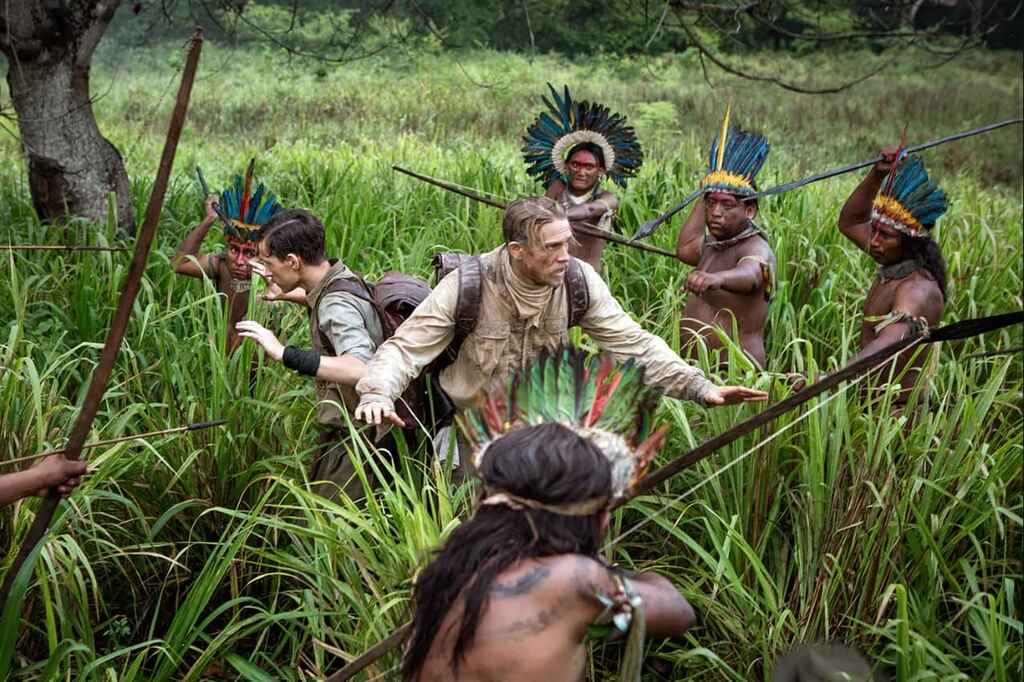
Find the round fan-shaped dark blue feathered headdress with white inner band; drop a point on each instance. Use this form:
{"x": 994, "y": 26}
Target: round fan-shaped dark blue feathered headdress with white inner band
{"x": 569, "y": 123}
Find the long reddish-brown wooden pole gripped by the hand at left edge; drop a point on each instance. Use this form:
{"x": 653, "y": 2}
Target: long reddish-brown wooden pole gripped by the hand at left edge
{"x": 120, "y": 322}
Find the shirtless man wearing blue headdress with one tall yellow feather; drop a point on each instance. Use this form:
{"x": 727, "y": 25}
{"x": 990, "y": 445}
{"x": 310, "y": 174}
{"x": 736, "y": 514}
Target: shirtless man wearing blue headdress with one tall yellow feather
{"x": 736, "y": 268}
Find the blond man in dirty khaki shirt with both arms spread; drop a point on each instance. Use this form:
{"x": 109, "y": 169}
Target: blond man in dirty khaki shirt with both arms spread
{"x": 524, "y": 310}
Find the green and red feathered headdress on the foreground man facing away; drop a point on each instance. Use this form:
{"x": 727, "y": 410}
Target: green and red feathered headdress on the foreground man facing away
{"x": 604, "y": 402}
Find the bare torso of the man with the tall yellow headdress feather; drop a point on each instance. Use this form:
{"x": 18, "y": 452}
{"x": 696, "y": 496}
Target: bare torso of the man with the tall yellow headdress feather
{"x": 722, "y": 309}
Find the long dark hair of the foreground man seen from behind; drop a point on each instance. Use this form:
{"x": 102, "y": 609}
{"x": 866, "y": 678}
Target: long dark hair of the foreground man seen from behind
{"x": 547, "y": 463}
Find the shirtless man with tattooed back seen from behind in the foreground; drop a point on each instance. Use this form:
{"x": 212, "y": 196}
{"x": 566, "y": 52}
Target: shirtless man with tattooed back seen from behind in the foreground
{"x": 519, "y": 589}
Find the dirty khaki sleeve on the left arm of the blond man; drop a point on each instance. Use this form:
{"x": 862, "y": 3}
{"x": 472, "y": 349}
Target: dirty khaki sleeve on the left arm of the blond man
{"x": 420, "y": 339}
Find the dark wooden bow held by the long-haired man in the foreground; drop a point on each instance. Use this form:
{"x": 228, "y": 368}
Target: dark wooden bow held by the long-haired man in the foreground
{"x": 961, "y": 330}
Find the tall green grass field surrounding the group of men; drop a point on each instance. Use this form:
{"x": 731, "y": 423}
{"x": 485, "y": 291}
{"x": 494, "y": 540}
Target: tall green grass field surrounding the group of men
{"x": 204, "y": 558}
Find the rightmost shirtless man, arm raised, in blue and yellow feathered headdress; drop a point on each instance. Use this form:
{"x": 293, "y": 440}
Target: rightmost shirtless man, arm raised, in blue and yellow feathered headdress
{"x": 891, "y": 216}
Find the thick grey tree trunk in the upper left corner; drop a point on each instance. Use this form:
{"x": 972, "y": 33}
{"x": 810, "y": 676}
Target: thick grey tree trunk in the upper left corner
{"x": 72, "y": 167}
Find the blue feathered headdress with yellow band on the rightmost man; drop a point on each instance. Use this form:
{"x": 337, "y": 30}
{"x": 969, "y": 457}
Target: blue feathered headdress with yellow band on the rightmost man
{"x": 909, "y": 201}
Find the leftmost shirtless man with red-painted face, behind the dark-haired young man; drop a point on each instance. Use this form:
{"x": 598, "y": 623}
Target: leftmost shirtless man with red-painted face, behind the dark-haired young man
{"x": 230, "y": 270}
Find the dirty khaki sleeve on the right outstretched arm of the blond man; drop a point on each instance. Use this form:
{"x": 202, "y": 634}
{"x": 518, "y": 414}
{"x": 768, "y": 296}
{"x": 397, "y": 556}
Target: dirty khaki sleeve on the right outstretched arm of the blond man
{"x": 616, "y": 332}
